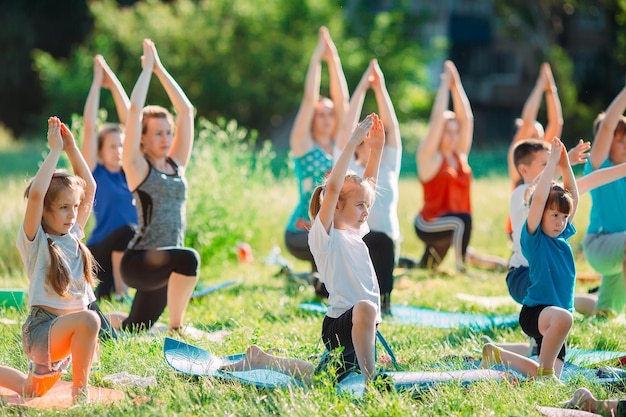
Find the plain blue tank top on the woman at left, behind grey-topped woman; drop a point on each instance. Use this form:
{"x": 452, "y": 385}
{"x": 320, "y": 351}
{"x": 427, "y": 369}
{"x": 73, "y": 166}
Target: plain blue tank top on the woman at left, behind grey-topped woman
{"x": 114, "y": 205}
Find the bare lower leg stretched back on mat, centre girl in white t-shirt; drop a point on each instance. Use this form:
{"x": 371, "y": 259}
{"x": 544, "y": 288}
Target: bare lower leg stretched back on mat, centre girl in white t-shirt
{"x": 256, "y": 358}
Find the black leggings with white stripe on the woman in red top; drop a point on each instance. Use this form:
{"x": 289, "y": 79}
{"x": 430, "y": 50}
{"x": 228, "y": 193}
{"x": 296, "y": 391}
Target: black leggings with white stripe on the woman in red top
{"x": 452, "y": 229}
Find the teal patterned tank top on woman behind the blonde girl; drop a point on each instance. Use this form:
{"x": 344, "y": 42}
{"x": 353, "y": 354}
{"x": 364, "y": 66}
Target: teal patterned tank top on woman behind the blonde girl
{"x": 310, "y": 169}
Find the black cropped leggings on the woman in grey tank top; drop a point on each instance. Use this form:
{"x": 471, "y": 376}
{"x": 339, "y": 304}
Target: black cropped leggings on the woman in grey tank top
{"x": 149, "y": 272}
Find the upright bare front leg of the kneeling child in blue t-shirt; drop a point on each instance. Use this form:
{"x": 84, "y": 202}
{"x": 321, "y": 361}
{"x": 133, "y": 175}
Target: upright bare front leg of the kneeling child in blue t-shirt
{"x": 554, "y": 325}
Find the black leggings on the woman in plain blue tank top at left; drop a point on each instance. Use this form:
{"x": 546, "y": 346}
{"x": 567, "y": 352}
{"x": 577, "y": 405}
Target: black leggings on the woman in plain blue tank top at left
{"x": 116, "y": 241}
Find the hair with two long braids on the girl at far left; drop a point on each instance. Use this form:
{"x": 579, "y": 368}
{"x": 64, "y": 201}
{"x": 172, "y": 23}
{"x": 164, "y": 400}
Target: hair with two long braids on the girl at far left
{"x": 58, "y": 277}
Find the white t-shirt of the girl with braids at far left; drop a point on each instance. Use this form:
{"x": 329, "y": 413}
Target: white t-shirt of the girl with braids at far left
{"x": 36, "y": 258}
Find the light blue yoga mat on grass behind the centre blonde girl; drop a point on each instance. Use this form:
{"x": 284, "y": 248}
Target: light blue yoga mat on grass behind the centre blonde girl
{"x": 433, "y": 318}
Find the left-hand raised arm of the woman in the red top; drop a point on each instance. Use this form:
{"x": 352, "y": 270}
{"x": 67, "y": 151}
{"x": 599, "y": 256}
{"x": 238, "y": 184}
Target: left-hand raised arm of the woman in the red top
{"x": 428, "y": 156}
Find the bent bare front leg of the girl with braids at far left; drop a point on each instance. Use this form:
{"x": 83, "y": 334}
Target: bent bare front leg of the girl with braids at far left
{"x": 75, "y": 334}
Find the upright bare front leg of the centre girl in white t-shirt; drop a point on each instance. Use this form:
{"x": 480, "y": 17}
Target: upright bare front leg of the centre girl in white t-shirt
{"x": 364, "y": 335}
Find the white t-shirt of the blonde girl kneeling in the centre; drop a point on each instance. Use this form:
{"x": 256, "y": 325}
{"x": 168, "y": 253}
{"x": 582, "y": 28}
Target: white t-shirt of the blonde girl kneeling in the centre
{"x": 345, "y": 267}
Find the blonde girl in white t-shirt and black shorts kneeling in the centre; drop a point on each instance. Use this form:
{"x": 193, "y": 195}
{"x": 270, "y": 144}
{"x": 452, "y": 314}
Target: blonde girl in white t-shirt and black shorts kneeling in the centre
{"x": 339, "y": 210}
